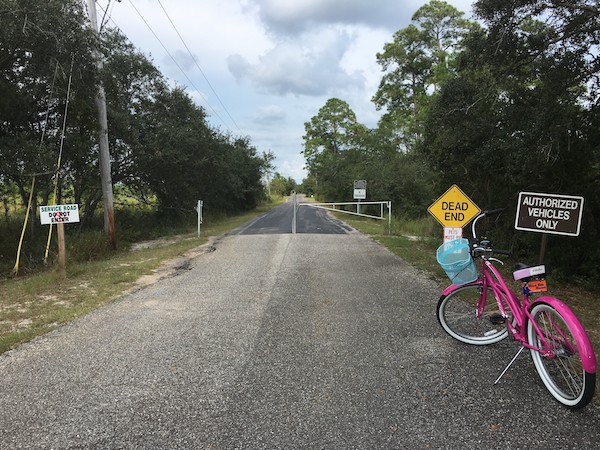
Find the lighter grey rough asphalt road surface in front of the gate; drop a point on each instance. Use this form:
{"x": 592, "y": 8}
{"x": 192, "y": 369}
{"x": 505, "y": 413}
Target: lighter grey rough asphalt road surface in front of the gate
{"x": 278, "y": 341}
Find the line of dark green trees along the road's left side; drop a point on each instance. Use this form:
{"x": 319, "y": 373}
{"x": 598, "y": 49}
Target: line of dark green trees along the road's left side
{"x": 164, "y": 153}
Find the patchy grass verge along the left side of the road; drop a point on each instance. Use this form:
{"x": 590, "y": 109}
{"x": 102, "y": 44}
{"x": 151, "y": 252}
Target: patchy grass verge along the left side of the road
{"x": 36, "y": 304}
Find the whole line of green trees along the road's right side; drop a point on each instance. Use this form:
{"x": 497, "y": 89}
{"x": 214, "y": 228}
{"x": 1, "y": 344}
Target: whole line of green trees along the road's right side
{"x": 505, "y": 103}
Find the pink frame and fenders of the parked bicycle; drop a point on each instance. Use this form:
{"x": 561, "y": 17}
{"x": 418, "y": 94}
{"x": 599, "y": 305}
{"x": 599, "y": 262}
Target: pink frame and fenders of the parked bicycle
{"x": 519, "y": 309}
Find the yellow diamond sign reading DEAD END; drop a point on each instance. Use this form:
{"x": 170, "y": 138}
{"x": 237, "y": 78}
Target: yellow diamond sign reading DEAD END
{"x": 454, "y": 208}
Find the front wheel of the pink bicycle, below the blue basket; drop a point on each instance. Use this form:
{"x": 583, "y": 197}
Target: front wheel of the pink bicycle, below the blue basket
{"x": 457, "y": 314}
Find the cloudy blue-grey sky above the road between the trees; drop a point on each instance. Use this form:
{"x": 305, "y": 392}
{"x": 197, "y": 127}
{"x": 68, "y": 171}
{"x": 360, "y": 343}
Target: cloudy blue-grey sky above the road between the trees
{"x": 262, "y": 68}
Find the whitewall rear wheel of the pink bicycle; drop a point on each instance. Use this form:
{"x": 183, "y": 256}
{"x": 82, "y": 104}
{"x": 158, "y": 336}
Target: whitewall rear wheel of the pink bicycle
{"x": 563, "y": 375}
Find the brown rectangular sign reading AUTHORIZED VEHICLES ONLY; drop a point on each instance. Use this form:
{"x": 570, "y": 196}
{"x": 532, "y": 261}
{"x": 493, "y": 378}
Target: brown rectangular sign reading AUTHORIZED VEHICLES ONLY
{"x": 549, "y": 213}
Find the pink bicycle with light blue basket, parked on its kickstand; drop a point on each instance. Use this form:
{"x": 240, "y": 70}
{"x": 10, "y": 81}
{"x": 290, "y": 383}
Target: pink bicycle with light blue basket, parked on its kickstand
{"x": 482, "y": 309}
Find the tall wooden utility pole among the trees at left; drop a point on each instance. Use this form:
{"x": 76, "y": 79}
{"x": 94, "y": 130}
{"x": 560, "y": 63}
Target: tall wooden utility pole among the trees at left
{"x": 103, "y": 153}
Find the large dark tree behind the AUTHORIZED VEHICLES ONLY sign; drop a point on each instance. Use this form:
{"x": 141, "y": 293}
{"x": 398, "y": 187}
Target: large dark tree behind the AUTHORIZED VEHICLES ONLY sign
{"x": 521, "y": 114}
